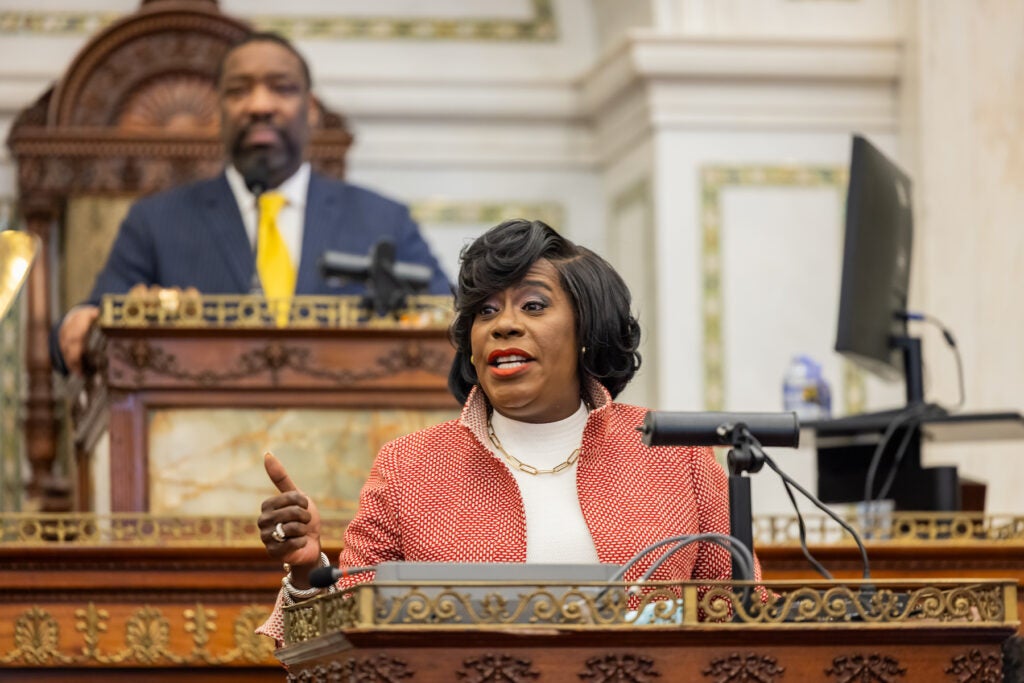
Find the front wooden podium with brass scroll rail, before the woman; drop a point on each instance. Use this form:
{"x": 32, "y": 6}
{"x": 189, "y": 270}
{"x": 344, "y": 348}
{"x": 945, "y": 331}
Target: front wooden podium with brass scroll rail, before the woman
{"x": 885, "y": 632}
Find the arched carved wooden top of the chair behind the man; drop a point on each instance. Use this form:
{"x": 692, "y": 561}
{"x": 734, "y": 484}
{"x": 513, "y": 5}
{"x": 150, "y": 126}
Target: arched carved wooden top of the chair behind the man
{"x": 137, "y": 111}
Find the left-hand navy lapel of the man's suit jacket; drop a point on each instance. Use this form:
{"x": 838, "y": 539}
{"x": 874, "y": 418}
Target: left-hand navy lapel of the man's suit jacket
{"x": 224, "y": 224}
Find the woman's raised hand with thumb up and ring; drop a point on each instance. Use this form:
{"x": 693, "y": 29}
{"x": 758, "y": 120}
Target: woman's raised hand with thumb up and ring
{"x": 289, "y": 523}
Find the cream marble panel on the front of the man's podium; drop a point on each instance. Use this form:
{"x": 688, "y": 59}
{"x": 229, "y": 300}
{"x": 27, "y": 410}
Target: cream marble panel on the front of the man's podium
{"x": 211, "y": 461}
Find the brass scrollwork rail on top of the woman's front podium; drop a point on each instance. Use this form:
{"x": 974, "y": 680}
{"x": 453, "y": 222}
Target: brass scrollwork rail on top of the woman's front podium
{"x": 591, "y": 606}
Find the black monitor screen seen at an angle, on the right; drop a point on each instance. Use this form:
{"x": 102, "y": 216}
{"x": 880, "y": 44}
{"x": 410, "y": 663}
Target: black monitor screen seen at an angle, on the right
{"x": 876, "y": 264}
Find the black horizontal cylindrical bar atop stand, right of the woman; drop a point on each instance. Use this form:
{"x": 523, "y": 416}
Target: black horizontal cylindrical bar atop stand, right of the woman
{"x": 775, "y": 430}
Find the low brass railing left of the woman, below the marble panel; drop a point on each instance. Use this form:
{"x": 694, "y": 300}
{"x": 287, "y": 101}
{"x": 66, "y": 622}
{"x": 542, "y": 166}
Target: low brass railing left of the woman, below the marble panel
{"x": 132, "y": 530}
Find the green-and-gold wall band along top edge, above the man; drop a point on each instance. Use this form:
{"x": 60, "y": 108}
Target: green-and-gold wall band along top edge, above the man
{"x": 541, "y": 26}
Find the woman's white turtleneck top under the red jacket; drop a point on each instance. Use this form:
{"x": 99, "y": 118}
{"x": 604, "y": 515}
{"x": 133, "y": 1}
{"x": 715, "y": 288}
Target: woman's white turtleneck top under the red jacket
{"x": 556, "y": 528}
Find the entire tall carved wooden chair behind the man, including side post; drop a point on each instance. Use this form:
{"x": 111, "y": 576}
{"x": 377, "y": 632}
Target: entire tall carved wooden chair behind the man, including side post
{"x": 136, "y": 113}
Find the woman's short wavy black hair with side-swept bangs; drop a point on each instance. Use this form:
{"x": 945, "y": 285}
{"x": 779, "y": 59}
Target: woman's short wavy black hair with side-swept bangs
{"x": 606, "y": 326}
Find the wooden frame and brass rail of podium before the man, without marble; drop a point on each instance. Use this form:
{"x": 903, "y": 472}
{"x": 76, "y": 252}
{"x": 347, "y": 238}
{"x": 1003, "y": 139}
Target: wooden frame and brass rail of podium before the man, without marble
{"x": 166, "y": 353}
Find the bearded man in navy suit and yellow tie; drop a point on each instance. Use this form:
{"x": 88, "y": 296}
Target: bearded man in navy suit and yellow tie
{"x": 263, "y": 225}
